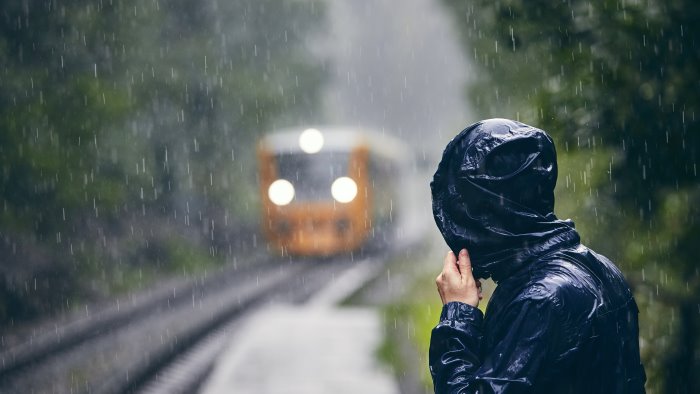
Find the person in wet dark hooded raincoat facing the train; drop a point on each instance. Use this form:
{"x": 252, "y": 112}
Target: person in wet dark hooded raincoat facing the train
{"x": 562, "y": 318}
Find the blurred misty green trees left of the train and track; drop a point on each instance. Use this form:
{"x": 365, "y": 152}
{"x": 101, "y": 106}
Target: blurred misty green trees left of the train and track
{"x": 127, "y": 131}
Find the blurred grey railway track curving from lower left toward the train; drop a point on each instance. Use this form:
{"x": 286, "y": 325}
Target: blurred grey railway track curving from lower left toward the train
{"x": 130, "y": 347}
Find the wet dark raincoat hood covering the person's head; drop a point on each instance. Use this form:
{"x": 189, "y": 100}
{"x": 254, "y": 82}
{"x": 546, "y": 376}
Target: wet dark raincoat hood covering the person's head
{"x": 493, "y": 194}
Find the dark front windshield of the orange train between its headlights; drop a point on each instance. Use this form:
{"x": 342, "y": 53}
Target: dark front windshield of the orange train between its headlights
{"x": 312, "y": 175}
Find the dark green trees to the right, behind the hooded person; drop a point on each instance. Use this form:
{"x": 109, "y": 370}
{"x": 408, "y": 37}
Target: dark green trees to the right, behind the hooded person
{"x": 620, "y": 77}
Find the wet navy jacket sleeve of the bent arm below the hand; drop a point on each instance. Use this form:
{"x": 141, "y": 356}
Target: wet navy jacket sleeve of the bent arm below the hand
{"x": 523, "y": 351}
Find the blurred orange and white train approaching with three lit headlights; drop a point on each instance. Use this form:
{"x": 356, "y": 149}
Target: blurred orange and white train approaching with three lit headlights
{"x": 329, "y": 190}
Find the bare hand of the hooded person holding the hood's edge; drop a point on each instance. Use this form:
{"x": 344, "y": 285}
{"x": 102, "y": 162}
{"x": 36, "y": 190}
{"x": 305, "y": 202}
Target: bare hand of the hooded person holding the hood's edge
{"x": 456, "y": 282}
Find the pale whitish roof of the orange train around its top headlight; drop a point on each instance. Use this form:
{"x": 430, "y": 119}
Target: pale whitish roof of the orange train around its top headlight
{"x": 338, "y": 139}
